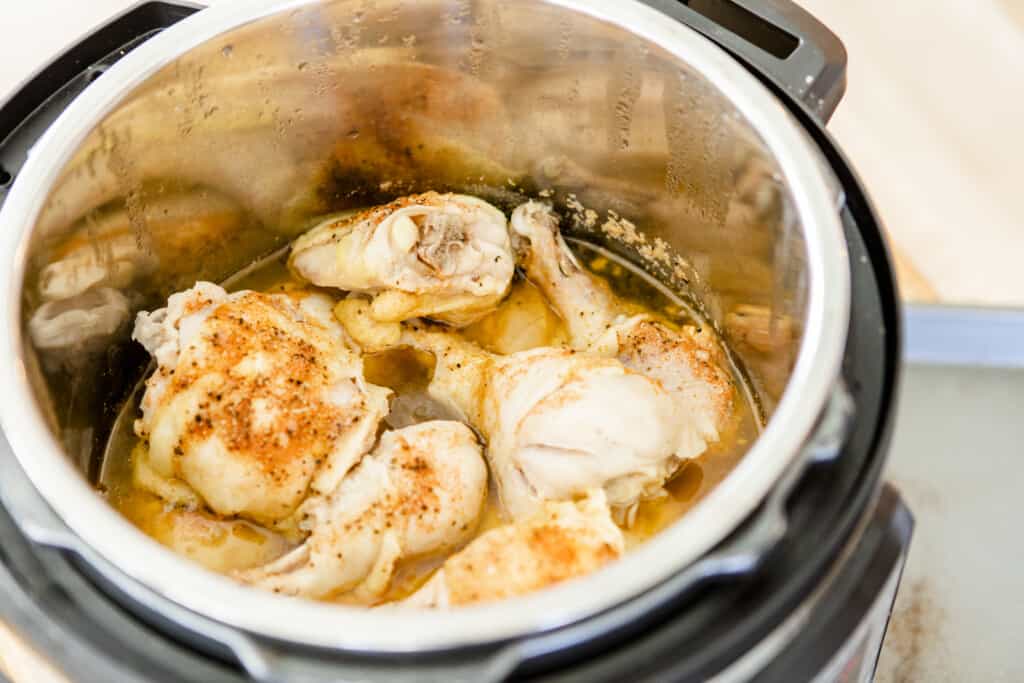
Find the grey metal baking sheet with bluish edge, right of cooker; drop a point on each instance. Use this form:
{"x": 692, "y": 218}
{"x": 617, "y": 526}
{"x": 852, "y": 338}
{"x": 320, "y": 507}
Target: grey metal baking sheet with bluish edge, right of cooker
{"x": 958, "y": 457}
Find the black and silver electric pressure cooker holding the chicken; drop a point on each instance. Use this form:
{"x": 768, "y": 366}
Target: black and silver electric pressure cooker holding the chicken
{"x": 179, "y": 144}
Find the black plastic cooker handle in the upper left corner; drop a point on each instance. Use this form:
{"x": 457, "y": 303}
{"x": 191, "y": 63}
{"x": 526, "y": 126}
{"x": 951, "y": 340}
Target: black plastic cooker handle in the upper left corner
{"x": 39, "y": 101}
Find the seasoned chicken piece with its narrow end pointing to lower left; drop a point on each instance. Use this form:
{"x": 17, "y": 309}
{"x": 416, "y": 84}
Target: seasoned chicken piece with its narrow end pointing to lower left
{"x": 420, "y": 492}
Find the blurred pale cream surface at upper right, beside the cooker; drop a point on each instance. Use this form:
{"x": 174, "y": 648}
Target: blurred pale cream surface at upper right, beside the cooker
{"x": 934, "y": 121}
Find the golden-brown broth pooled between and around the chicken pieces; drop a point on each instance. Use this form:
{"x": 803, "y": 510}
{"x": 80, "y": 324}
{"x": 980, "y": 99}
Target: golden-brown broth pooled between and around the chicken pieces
{"x": 524, "y": 321}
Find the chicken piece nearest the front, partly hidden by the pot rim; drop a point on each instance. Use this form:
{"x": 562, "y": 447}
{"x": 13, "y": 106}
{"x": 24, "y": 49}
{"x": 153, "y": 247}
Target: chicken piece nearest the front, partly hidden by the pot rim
{"x": 563, "y": 541}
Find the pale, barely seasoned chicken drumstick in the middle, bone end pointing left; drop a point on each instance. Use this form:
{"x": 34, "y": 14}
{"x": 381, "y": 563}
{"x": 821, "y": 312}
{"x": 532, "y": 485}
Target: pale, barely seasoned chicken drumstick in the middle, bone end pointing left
{"x": 551, "y": 436}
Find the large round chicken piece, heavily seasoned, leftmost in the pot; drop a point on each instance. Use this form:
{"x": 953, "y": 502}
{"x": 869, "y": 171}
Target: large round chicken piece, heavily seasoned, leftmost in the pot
{"x": 257, "y": 402}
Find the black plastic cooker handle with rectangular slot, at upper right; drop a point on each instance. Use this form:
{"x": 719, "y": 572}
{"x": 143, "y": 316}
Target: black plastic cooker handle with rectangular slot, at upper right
{"x": 777, "y": 38}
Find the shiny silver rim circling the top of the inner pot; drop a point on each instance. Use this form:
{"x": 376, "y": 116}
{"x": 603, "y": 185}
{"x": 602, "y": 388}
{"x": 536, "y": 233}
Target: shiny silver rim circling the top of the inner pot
{"x": 174, "y": 578}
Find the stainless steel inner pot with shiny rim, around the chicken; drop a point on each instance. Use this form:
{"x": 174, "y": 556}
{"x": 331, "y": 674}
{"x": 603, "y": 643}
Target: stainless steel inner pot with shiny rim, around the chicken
{"x": 220, "y": 141}
